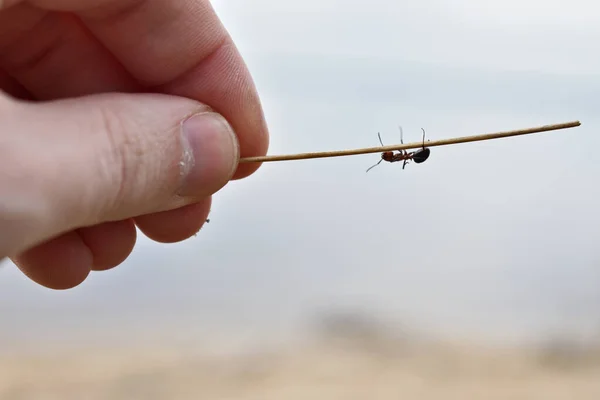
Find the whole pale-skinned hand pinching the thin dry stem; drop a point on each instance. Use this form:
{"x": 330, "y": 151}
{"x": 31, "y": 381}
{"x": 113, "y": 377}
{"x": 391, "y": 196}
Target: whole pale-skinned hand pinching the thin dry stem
{"x": 93, "y": 99}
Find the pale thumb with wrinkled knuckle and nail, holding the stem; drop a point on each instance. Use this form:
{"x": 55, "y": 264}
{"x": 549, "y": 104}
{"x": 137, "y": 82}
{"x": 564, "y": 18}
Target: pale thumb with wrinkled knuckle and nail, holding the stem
{"x": 78, "y": 162}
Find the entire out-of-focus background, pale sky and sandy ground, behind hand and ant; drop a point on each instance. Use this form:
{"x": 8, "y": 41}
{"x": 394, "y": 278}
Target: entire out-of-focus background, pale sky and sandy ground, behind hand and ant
{"x": 474, "y": 275}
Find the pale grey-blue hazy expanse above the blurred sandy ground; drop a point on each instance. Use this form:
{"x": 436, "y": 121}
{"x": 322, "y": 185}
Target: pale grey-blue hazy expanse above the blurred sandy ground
{"x": 494, "y": 238}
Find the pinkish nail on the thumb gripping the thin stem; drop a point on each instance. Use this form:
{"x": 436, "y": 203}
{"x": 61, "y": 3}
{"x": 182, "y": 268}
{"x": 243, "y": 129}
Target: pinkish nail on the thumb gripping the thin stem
{"x": 210, "y": 154}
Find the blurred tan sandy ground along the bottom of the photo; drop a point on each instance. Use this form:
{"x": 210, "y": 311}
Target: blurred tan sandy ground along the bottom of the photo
{"x": 346, "y": 360}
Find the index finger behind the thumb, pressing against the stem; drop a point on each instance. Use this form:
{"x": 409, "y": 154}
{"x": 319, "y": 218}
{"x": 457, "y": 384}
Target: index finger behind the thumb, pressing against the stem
{"x": 179, "y": 47}
